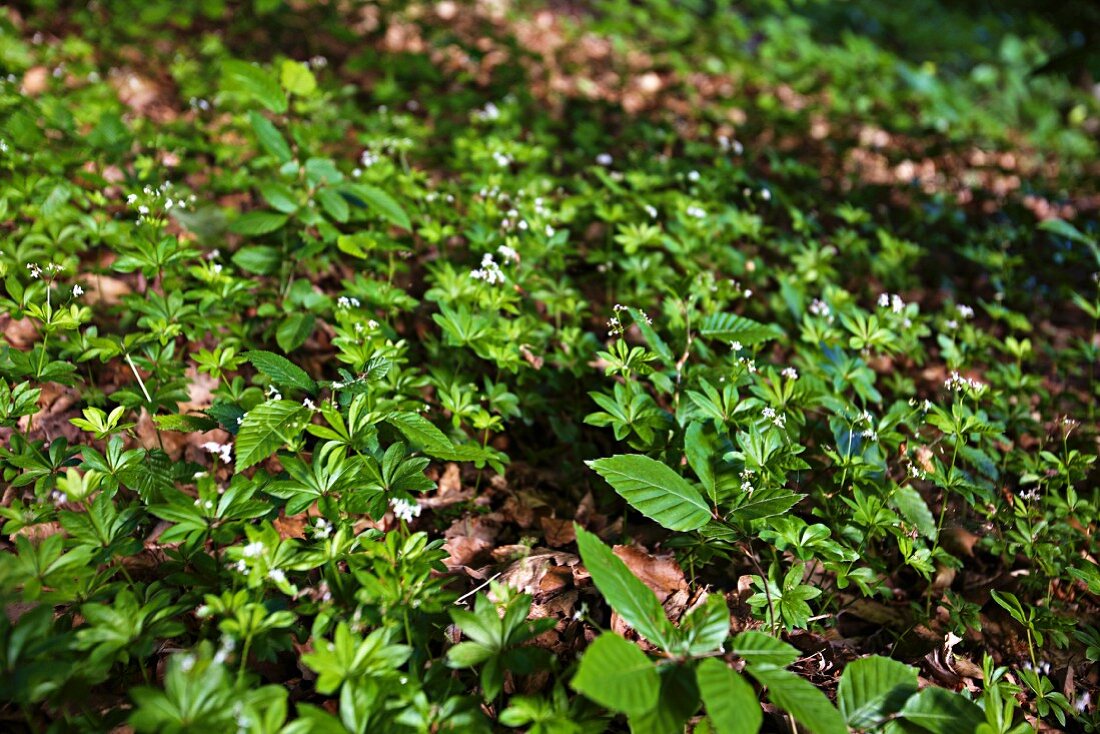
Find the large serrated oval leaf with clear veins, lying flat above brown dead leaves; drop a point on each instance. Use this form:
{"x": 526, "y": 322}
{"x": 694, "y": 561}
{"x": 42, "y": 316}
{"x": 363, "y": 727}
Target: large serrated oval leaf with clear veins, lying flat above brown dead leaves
{"x": 655, "y": 490}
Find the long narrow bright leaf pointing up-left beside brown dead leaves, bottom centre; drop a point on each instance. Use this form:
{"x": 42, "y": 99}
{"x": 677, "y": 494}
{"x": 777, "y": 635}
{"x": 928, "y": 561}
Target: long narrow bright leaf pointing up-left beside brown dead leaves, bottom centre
{"x": 634, "y": 601}
